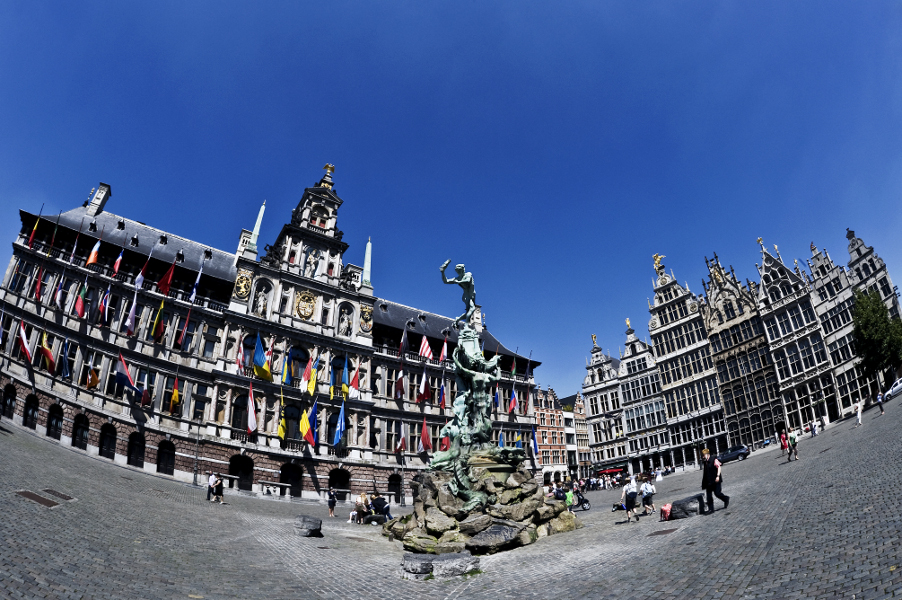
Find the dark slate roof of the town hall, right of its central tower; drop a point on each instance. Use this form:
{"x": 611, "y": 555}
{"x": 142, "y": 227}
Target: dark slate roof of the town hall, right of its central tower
{"x": 394, "y": 315}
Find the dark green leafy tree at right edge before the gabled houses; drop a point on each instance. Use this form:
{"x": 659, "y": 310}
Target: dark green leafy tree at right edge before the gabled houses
{"x": 878, "y": 339}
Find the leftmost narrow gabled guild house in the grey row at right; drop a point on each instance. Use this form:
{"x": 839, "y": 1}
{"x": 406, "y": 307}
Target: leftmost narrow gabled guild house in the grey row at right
{"x": 601, "y": 393}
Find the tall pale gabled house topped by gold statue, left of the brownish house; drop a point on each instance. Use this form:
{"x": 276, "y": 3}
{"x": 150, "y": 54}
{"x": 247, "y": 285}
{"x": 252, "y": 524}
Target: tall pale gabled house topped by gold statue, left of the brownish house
{"x": 680, "y": 339}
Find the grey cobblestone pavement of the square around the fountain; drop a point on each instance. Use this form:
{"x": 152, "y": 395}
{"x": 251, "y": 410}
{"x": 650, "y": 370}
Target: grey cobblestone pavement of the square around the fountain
{"x": 825, "y": 526}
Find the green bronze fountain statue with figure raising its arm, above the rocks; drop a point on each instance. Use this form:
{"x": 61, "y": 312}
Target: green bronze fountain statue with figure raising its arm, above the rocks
{"x": 470, "y": 431}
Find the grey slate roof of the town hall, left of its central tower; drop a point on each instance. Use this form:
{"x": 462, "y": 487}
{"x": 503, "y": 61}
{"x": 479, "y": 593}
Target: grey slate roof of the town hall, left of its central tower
{"x": 221, "y": 265}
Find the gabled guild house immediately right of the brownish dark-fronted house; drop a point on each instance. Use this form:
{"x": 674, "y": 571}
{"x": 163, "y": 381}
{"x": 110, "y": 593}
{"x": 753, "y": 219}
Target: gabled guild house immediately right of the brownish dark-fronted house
{"x": 795, "y": 338}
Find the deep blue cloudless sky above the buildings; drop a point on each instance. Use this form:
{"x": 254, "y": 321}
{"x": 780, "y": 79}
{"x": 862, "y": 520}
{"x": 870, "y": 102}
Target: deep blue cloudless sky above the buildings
{"x": 551, "y": 147}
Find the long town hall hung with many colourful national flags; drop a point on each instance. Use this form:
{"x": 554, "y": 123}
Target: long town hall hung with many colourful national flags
{"x": 93, "y": 294}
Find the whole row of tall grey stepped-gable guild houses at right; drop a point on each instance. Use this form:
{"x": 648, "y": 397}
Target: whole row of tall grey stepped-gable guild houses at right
{"x": 741, "y": 363}
